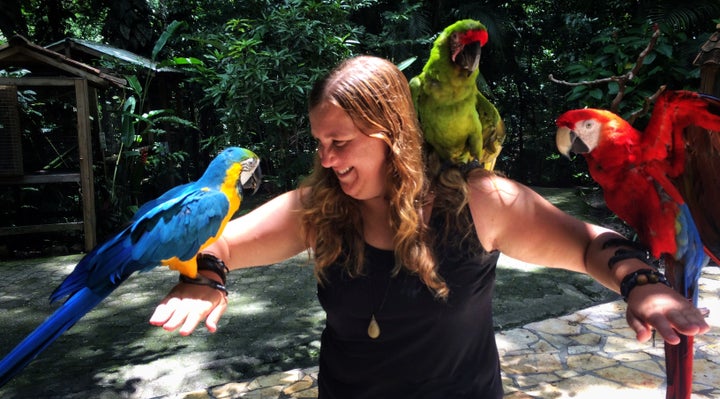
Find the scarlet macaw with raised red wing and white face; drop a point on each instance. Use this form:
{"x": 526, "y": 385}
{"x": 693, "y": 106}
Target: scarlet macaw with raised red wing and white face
{"x": 662, "y": 182}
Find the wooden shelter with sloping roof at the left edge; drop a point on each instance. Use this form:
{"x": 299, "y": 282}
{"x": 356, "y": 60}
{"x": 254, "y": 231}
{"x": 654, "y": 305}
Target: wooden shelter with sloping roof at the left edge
{"x": 50, "y": 69}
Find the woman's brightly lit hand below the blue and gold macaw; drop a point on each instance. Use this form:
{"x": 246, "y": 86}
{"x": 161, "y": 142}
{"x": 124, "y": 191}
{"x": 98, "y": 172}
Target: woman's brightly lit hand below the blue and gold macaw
{"x": 187, "y": 305}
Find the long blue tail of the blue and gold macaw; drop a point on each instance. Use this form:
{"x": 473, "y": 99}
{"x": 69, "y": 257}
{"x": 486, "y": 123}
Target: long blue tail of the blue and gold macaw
{"x": 47, "y": 332}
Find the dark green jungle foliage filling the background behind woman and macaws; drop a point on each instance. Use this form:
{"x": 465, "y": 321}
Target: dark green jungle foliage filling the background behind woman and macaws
{"x": 246, "y": 68}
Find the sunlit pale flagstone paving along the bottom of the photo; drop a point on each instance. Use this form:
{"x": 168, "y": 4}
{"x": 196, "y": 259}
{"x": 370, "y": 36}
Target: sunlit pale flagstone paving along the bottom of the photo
{"x": 590, "y": 353}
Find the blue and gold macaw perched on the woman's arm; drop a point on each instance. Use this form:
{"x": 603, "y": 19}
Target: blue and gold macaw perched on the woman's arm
{"x": 169, "y": 230}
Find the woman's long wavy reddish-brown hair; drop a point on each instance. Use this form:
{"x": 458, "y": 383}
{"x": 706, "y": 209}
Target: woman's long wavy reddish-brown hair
{"x": 376, "y": 96}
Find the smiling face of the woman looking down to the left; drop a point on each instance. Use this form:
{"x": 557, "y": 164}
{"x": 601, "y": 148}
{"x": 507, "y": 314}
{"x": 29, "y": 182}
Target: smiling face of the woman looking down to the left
{"x": 358, "y": 160}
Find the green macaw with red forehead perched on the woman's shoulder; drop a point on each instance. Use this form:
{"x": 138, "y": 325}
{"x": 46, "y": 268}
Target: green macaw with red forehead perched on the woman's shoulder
{"x": 458, "y": 121}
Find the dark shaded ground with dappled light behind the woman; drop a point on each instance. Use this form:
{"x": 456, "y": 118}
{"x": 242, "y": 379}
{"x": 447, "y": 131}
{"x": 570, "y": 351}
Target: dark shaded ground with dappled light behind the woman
{"x": 273, "y": 324}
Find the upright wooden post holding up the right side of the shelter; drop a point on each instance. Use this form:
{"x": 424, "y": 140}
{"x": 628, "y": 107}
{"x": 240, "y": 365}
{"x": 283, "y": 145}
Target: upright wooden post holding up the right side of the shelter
{"x": 85, "y": 155}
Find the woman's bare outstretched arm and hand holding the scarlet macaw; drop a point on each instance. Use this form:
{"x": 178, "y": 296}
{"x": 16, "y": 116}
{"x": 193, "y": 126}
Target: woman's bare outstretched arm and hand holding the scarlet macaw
{"x": 520, "y": 223}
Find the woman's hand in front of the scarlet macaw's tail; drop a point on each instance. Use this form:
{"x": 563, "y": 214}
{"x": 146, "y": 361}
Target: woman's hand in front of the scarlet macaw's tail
{"x": 656, "y": 306}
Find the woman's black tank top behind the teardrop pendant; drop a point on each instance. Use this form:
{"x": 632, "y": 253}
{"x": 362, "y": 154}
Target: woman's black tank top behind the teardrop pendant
{"x": 428, "y": 348}
